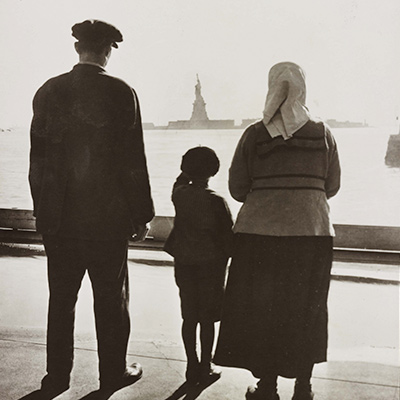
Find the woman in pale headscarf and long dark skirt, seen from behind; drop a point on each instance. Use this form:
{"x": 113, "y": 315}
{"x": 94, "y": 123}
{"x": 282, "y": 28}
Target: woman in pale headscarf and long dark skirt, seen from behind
{"x": 285, "y": 167}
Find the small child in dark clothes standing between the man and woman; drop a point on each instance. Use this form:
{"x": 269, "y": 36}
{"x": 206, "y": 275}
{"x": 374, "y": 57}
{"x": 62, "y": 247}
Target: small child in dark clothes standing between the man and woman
{"x": 200, "y": 243}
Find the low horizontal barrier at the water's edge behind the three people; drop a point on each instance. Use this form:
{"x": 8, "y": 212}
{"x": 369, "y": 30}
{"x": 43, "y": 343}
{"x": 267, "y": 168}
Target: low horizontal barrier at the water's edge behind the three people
{"x": 352, "y": 243}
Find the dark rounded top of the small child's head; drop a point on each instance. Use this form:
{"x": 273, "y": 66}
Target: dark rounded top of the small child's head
{"x": 200, "y": 162}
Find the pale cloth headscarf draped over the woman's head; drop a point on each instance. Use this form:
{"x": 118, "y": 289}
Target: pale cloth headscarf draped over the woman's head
{"x": 285, "y": 111}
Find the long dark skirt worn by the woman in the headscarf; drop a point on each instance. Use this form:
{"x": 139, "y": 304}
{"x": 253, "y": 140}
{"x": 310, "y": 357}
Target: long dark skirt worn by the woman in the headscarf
{"x": 275, "y": 317}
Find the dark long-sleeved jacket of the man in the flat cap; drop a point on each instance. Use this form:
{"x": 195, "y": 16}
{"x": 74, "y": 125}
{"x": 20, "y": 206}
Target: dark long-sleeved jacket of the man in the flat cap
{"x": 88, "y": 172}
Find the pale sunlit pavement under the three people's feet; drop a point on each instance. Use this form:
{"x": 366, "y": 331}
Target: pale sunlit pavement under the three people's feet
{"x": 363, "y": 335}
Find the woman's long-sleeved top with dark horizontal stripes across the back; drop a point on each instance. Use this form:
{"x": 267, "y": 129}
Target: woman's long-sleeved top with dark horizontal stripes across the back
{"x": 285, "y": 184}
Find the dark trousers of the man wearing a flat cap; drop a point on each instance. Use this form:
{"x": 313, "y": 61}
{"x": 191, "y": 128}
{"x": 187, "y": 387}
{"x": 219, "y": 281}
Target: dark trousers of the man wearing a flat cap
{"x": 106, "y": 263}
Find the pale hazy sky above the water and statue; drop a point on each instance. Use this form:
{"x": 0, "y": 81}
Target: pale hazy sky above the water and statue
{"x": 349, "y": 49}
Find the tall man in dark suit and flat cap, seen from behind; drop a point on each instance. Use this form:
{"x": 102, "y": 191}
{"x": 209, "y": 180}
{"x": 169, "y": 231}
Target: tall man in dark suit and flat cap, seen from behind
{"x": 91, "y": 193}
